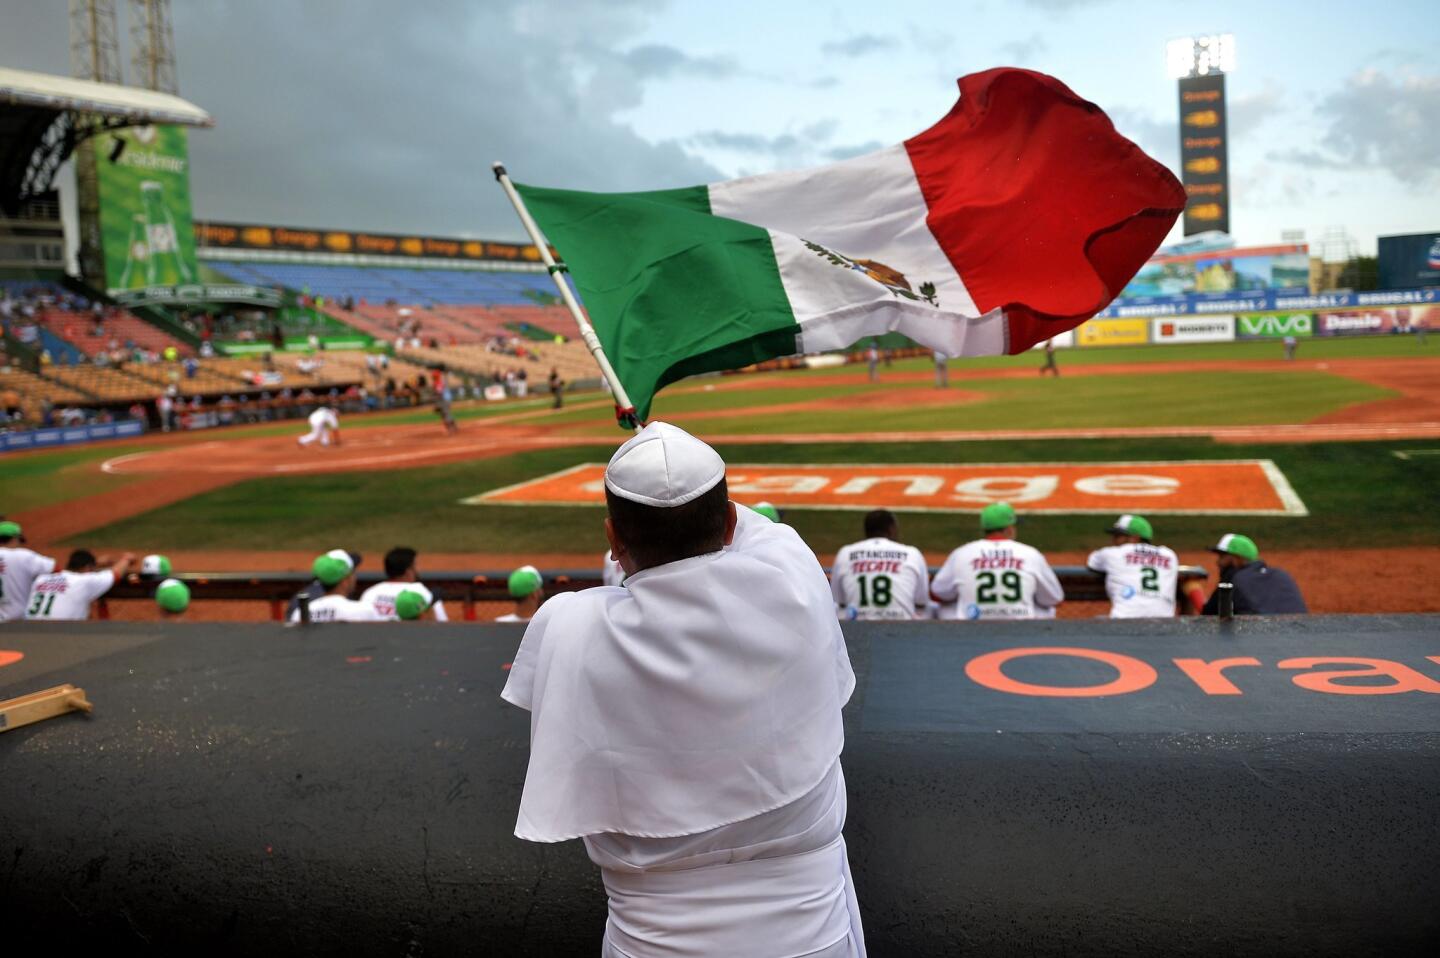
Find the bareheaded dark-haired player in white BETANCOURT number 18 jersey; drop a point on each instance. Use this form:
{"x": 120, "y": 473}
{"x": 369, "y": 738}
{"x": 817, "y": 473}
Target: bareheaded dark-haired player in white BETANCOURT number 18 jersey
{"x": 879, "y": 578}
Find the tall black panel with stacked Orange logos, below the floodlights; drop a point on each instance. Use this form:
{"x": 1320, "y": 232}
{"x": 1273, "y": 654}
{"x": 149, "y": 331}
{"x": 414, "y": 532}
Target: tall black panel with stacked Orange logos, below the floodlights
{"x": 1205, "y": 155}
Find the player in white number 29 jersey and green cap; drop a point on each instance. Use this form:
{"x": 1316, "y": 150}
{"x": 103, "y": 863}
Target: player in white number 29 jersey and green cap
{"x": 997, "y": 578}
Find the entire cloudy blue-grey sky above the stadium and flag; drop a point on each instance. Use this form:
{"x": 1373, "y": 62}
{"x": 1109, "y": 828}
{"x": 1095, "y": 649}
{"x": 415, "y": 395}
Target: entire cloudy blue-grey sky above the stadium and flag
{"x": 371, "y": 115}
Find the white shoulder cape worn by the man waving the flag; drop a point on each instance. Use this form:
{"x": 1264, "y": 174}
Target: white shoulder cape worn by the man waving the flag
{"x": 702, "y": 694}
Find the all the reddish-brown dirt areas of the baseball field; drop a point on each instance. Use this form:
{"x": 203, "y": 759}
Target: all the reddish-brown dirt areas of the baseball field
{"x": 186, "y": 466}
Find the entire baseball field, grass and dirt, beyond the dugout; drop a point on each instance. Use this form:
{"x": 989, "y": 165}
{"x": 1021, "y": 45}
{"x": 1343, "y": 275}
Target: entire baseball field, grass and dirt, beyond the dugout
{"x": 1331, "y": 463}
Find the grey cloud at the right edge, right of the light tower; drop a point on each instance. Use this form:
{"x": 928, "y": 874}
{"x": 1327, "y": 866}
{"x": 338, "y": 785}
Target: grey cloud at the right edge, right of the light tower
{"x": 1379, "y": 123}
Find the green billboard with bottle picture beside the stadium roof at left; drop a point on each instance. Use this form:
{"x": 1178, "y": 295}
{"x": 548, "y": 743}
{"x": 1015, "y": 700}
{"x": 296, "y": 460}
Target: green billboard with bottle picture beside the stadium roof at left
{"x": 145, "y": 208}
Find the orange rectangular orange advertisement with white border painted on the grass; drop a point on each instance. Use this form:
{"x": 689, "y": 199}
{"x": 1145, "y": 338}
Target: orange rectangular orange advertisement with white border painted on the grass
{"x": 1213, "y": 488}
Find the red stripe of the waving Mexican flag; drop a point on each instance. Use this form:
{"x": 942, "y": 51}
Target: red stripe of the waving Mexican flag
{"x": 1042, "y": 207}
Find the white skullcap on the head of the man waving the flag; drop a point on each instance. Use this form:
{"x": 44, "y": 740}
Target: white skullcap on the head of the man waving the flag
{"x": 663, "y": 466}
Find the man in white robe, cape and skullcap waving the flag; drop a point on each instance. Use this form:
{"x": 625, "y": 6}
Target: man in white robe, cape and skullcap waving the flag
{"x": 688, "y": 725}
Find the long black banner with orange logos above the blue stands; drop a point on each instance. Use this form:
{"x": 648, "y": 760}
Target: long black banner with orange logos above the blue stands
{"x": 215, "y": 236}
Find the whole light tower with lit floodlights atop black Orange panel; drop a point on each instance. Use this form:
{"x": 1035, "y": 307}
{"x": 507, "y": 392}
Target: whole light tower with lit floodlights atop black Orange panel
{"x": 1200, "y": 64}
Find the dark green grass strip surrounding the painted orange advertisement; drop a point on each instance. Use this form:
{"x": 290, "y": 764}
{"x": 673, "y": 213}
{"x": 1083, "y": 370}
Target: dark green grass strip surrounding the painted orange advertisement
{"x": 1359, "y": 495}
